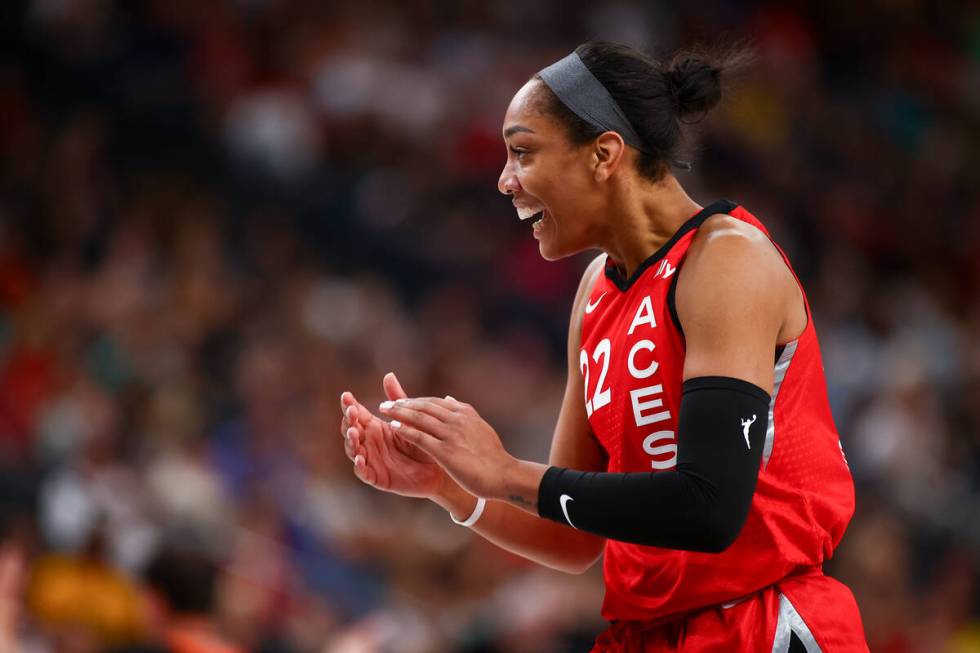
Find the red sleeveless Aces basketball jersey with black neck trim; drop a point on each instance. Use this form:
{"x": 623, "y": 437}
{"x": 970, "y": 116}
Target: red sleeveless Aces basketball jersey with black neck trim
{"x": 632, "y": 360}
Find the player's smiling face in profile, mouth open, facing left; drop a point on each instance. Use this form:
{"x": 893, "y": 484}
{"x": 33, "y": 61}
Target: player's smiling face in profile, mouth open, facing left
{"x": 550, "y": 179}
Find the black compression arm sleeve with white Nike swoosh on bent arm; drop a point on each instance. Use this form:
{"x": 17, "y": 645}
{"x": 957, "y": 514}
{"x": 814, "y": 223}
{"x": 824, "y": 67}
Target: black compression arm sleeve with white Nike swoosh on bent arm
{"x": 700, "y": 506}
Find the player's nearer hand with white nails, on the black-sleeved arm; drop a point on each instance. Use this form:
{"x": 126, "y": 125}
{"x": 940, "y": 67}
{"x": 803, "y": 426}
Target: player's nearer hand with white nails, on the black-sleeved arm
{"x": 455, "y": 435}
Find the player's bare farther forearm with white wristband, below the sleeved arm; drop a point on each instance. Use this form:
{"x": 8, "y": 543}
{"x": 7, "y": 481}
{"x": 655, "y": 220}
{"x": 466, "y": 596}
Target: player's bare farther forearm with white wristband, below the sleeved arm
{"x": 522, "y": 533}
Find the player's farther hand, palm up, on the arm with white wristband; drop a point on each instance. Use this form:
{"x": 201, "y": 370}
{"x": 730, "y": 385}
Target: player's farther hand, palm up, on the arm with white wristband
{"x": 381, "y": 457}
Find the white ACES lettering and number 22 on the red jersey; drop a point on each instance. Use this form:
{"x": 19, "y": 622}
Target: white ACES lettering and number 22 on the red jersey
{"x": 646, "y": 398}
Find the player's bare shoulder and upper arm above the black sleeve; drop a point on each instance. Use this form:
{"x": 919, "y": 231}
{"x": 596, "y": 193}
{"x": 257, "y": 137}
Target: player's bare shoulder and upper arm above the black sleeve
{"x": 732, "y": 298}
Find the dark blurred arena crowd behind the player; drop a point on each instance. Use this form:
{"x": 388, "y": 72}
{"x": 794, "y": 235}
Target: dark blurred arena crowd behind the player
{"x": 215, "y": 216}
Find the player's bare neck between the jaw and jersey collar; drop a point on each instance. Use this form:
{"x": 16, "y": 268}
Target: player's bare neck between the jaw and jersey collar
{"x": 643, "y": 217}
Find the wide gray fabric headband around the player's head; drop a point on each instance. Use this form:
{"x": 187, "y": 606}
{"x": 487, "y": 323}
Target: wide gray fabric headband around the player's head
{"x": 579, "y": 90}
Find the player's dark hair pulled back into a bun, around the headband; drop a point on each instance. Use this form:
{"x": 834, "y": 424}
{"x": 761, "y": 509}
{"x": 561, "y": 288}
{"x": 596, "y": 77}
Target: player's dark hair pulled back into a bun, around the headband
{"x": 656, "y": 96}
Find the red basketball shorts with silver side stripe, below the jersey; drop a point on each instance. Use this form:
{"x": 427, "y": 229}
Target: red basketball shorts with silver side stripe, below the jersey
{"x": 827, "y": 608}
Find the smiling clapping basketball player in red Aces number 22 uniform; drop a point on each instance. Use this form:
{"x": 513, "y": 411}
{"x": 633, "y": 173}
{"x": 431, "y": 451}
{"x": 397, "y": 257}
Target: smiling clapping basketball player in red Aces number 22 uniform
{"x": 695, "y": 446}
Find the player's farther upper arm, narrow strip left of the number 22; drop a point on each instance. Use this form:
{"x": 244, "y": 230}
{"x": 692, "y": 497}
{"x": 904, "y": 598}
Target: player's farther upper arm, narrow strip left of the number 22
{"x": 573, "y": 444}
